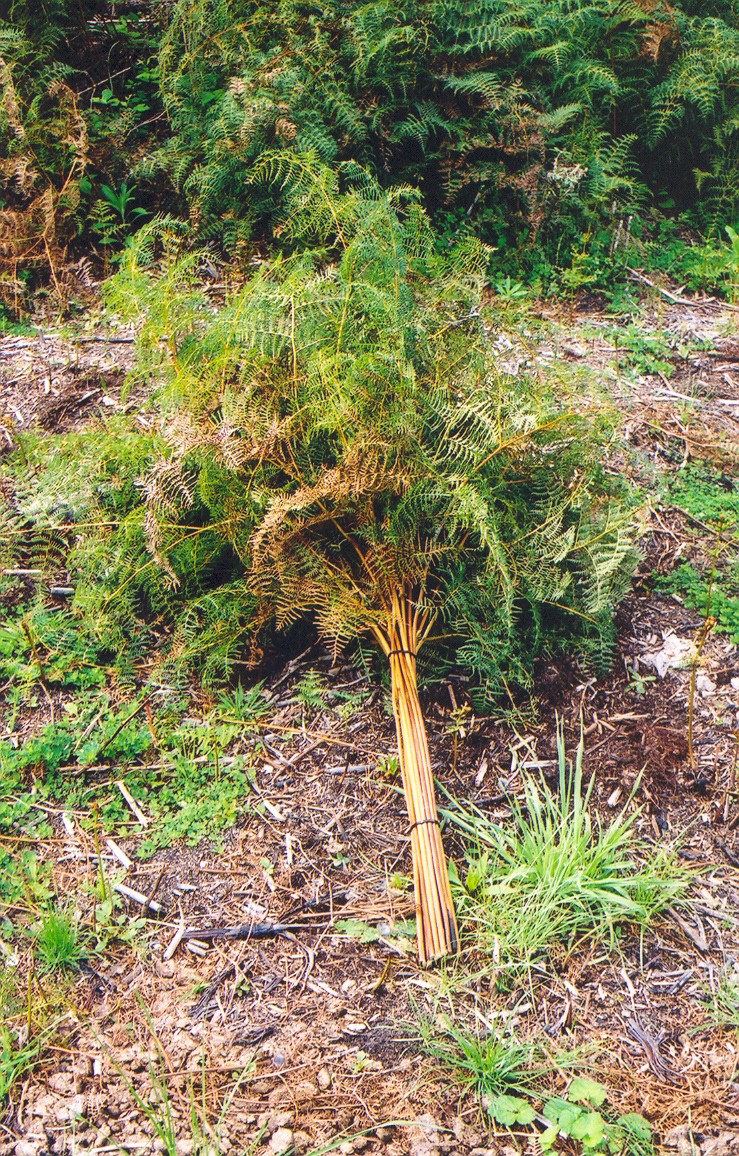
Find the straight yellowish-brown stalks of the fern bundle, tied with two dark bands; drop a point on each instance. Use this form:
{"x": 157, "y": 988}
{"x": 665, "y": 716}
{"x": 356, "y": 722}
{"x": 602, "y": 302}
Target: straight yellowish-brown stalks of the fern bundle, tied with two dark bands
{"x": 438, "y": 935}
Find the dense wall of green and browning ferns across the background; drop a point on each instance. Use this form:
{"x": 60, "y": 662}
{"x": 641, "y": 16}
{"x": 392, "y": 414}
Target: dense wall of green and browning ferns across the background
{"x": 571, "y": 135}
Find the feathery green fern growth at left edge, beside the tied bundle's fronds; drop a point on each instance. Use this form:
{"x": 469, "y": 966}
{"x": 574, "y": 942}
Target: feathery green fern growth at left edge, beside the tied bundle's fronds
{"x": 75, "y": 513}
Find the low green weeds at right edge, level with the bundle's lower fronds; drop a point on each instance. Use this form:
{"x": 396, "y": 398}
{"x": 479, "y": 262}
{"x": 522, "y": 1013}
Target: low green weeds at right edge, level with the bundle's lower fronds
{"x": 711, "y": 586}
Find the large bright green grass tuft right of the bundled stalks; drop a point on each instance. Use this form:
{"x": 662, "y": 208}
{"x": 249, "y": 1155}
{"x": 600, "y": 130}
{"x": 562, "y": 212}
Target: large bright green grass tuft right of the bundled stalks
{"x": 557, "y": 875}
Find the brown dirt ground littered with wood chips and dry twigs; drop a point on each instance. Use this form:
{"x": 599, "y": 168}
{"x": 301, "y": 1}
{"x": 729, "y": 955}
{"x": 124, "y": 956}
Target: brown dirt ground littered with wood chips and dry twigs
{"x": 317, "y": 1026}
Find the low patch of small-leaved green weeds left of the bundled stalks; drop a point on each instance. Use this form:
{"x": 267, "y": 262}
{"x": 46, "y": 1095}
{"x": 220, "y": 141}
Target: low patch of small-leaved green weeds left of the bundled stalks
{"x": 182, "y": 770}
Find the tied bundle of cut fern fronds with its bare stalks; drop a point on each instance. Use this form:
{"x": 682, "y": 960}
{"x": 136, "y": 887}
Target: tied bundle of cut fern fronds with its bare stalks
{"x": 374, "y": 470}
